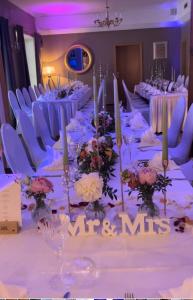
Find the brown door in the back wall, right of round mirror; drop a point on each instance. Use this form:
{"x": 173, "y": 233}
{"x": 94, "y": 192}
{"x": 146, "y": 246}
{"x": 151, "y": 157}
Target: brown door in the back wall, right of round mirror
{"x": 128, "y": 67}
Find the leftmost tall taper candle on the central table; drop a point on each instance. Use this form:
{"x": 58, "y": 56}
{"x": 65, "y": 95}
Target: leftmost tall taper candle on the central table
{"x": 64, "y": 141}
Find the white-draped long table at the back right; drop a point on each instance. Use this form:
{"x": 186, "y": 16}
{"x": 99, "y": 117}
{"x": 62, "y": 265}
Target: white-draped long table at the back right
{"x": 156, "y": 101}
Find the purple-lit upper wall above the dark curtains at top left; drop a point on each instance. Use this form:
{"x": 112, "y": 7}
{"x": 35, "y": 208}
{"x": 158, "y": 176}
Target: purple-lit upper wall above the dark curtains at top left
{"x": 16, "y": 16}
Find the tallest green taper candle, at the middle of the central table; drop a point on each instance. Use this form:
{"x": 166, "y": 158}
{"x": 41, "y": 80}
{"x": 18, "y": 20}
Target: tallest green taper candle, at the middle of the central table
{"x": 117, "y": 114}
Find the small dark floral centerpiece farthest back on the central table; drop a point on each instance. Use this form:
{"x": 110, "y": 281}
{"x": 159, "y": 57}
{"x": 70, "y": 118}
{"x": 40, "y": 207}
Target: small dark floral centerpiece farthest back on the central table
{"x": 106, "y": 123}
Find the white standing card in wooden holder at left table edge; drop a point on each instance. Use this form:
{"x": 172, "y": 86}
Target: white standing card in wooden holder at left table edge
{"x": 10, "y": 204}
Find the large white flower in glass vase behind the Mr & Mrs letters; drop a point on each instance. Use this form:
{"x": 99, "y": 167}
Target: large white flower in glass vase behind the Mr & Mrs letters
{"x": 90, "y": 188}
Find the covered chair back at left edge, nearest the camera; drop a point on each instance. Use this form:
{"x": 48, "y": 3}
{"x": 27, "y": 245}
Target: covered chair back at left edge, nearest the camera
{"x": 14, "y": 151}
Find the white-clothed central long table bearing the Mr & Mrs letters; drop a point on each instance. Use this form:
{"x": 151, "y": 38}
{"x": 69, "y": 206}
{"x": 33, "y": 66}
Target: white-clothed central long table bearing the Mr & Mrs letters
{"x": 142, "y": 265}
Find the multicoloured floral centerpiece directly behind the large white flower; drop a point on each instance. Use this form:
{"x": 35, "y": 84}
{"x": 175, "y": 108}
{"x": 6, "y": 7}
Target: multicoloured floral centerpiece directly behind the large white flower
{"x": 98, "y": 156}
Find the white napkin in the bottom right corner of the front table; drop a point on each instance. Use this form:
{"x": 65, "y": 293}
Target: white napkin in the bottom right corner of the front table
{"x": 184, "y": 291}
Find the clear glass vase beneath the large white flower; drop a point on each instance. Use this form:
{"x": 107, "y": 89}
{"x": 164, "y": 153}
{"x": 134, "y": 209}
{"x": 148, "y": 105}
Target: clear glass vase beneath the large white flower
{"x": 95, "y": 210}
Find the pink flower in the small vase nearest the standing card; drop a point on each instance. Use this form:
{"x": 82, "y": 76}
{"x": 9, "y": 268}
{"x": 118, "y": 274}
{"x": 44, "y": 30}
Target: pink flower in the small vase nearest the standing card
{"x": 41, "y": 185}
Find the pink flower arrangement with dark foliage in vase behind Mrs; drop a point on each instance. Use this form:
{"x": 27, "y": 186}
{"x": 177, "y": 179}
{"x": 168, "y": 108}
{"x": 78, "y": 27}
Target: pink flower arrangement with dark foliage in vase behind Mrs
{"x": 146, "y": 181}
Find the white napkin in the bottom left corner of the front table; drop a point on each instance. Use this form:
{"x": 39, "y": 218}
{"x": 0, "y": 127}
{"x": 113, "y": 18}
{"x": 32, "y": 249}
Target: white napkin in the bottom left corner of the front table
{"x": 12, "y": 291}
